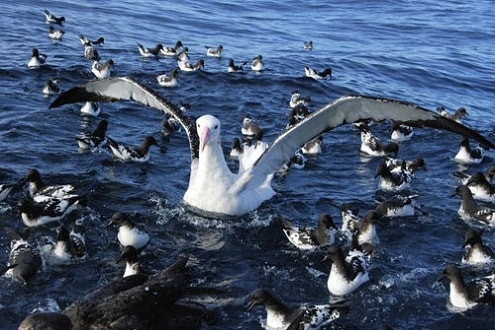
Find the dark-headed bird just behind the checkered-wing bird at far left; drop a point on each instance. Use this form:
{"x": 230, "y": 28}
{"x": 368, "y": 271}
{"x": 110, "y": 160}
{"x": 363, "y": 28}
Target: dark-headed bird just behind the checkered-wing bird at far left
{"x": 40, "y": 192}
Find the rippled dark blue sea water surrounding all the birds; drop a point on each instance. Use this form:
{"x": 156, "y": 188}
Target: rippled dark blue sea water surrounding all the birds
{"x": 428, "y": 52}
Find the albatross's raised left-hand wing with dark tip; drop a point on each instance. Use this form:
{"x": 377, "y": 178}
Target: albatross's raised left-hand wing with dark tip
{"x": 124, "y": 88}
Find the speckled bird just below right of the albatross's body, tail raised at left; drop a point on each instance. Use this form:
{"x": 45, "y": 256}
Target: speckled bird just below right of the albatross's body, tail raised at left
{"x": 306, "y": 238}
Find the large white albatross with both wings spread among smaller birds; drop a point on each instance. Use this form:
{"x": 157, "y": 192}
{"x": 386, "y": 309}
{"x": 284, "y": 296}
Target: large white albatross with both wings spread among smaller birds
{"x": 213, "y": 189}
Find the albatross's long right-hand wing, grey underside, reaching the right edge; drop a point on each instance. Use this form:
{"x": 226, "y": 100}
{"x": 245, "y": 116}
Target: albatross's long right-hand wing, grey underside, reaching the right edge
{"x": 346, "y": 109}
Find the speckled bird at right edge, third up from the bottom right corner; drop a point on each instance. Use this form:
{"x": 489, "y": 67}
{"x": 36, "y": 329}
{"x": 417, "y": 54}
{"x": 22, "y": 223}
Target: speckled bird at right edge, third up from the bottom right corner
{"x": 470, "y": 210}
